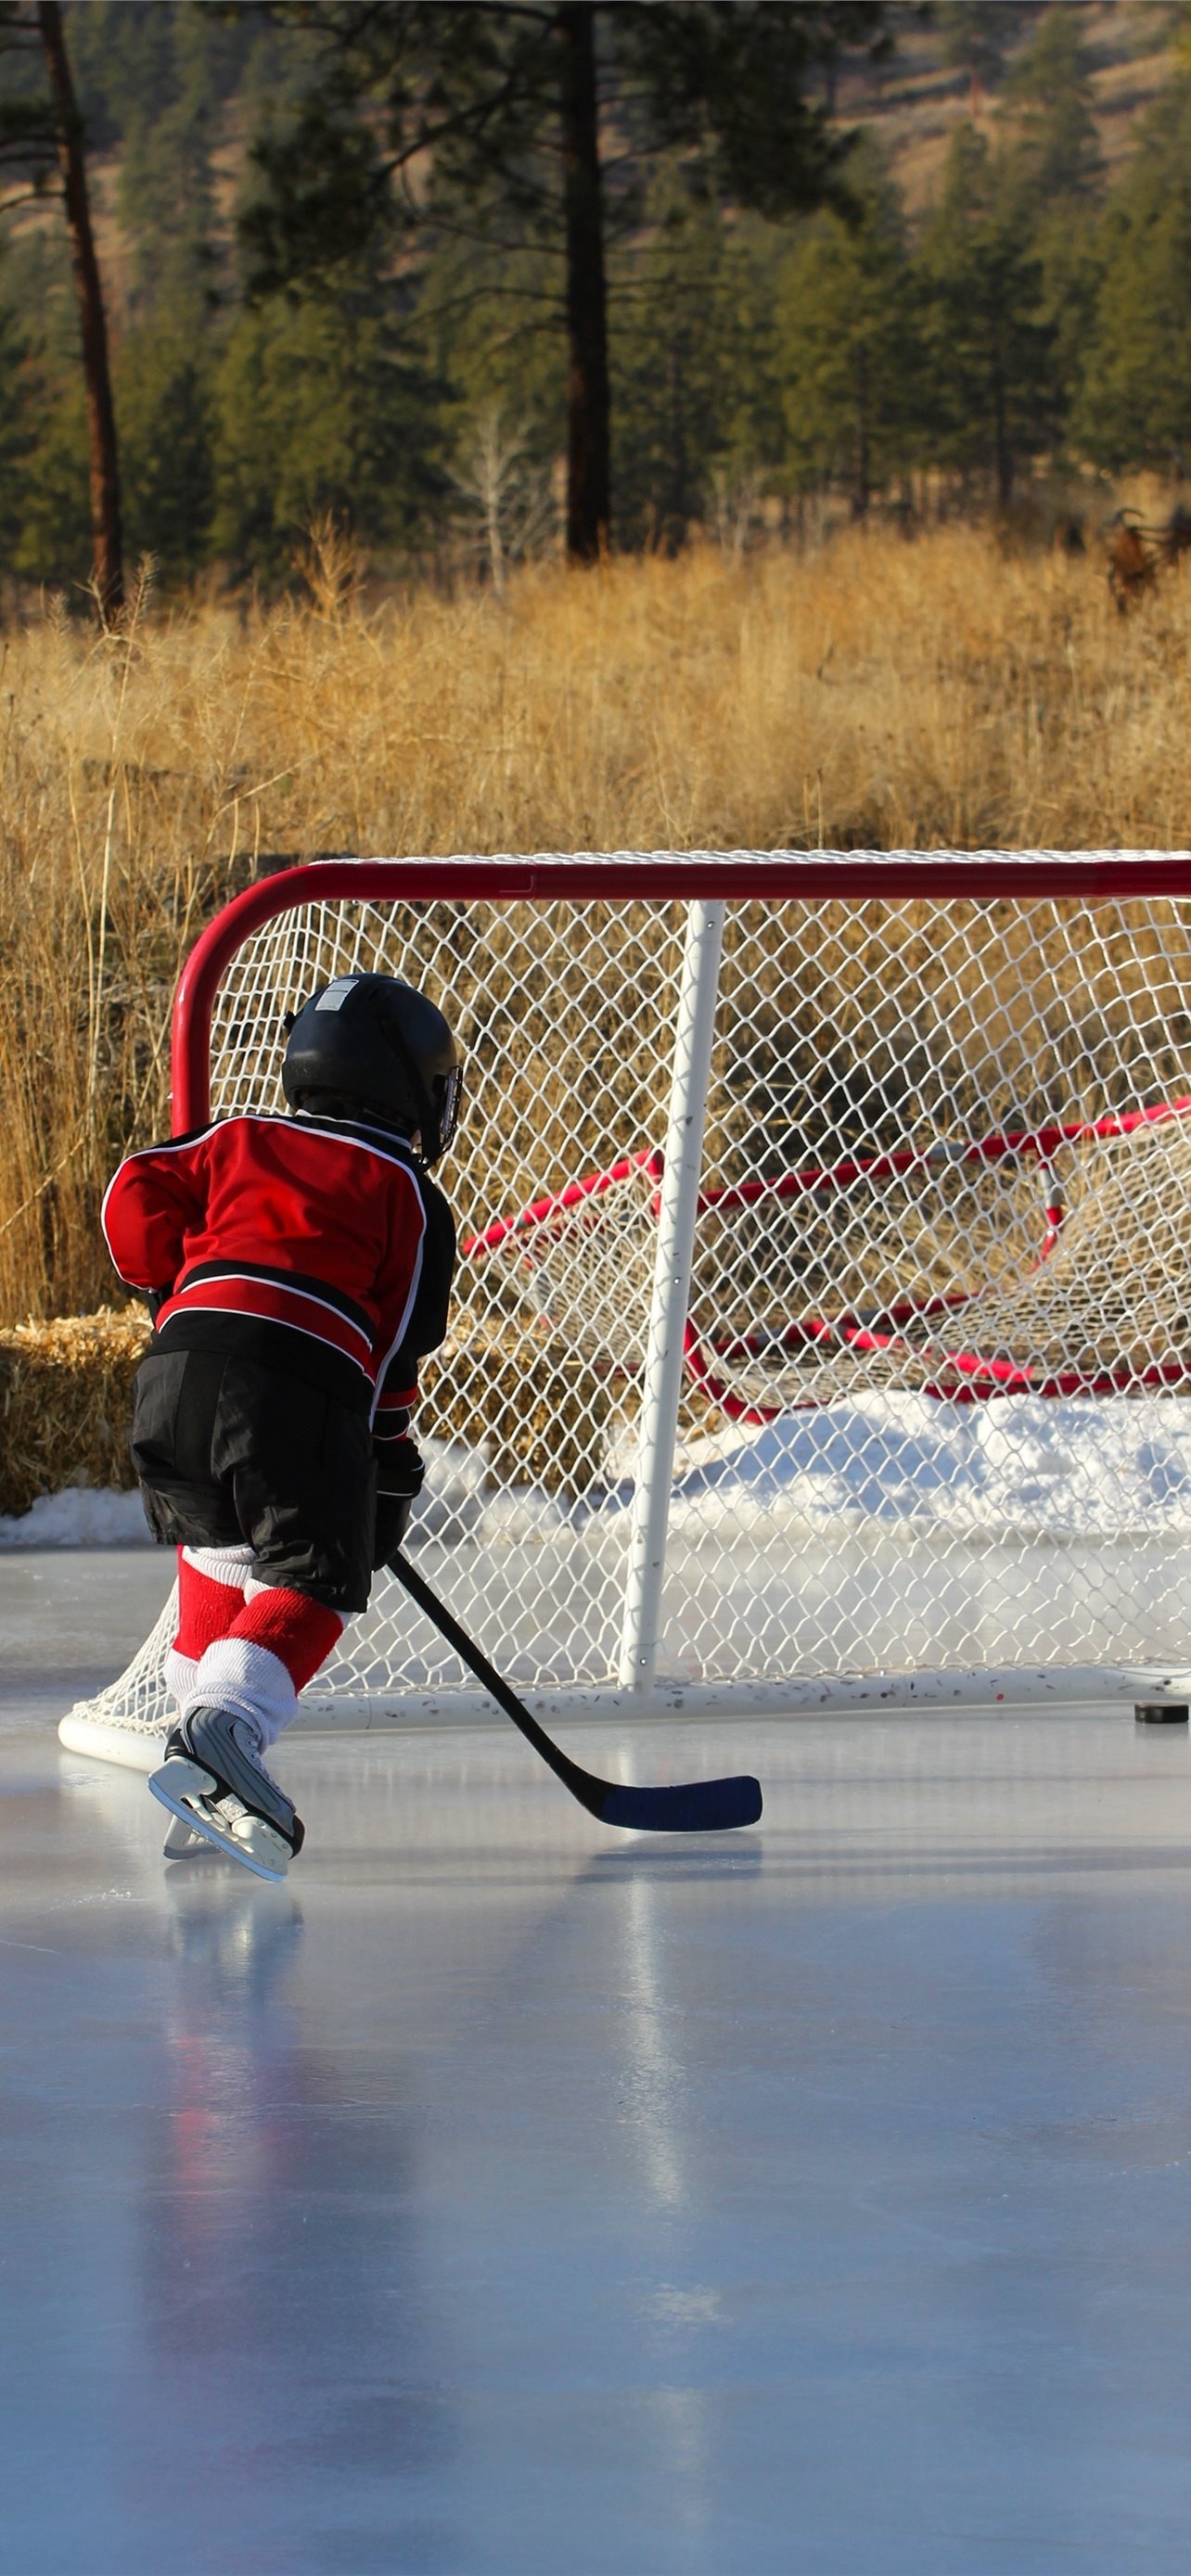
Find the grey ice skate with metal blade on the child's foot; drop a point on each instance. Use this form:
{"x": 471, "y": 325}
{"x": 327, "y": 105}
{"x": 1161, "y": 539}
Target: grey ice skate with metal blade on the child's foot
{"x": 215, "y": 1784}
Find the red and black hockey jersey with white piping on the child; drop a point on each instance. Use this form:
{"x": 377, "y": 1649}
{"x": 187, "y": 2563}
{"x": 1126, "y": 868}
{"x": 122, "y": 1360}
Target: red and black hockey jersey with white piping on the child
{"x": 318, "y": 1230}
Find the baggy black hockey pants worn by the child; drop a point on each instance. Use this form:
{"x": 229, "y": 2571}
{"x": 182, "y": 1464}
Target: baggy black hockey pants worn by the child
{"x": 231, "y": 1452}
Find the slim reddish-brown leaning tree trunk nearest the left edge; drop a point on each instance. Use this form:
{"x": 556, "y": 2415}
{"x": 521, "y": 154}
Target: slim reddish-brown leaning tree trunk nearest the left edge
{"x": 102, "y": 421}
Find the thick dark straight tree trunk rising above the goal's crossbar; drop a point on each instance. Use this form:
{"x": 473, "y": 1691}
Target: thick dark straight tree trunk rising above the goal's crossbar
{"x": 589, "y": 403}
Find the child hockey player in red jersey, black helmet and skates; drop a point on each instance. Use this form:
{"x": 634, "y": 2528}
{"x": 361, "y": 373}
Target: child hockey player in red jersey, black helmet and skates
{"x": 298, "y": 1269}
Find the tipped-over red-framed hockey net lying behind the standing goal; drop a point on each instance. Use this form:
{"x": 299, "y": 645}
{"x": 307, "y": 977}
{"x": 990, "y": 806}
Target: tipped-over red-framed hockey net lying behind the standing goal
{"x": 1004, "y": 1266}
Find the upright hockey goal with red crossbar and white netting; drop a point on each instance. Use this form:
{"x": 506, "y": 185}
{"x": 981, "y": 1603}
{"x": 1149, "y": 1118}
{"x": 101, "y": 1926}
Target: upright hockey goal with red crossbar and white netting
{"x": 824, "y": 1315}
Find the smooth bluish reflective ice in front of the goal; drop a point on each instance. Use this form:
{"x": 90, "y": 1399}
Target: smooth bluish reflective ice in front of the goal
{"x": 517, "y": 2196}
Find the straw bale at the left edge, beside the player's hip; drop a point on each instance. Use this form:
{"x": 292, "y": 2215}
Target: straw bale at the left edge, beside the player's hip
{"x": 66, "y": 1403}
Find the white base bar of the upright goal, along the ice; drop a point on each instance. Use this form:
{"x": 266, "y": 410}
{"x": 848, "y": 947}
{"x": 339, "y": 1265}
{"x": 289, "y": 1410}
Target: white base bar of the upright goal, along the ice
{"x": 803, "y": 1696}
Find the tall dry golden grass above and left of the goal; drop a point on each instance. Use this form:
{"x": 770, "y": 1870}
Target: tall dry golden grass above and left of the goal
{"x": 875, "y": 694}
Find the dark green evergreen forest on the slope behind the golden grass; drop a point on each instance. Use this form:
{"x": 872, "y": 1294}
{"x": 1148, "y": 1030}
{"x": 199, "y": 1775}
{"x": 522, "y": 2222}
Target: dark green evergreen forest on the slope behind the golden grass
{"x": 334, "y": 261}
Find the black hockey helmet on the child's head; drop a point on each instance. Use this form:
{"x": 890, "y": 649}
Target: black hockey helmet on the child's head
{"x": 383, "y": 1047}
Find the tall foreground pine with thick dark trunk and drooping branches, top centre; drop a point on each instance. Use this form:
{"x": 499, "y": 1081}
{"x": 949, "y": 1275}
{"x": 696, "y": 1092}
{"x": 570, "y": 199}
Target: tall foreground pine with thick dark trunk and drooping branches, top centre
{"x": 507, "y": 109}
